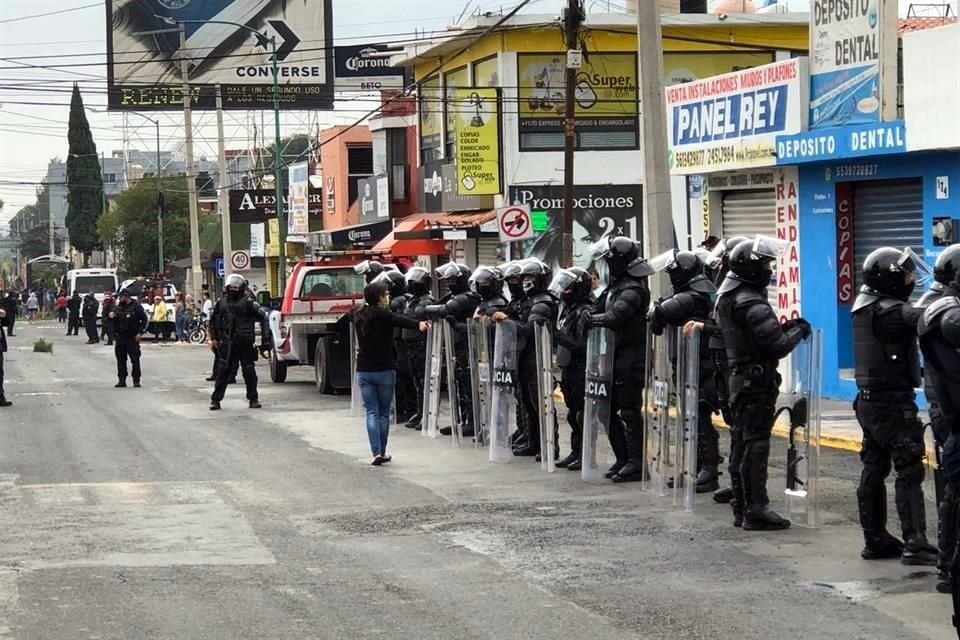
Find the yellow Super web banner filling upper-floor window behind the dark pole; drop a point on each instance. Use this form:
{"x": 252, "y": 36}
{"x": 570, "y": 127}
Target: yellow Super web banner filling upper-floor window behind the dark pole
{"x": 606, "y": 92}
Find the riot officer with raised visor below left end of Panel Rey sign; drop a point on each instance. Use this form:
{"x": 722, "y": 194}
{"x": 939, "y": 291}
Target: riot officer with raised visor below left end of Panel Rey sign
{"x": 692, "y": 301}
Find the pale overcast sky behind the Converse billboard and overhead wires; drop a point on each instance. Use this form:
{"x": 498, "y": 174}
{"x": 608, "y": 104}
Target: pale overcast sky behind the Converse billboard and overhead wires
{"x": 32, "y": 134}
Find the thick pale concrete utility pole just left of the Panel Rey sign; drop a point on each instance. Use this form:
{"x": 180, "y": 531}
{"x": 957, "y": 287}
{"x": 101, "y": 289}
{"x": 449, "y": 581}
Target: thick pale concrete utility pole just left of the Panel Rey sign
{"x": 657, "y": 213}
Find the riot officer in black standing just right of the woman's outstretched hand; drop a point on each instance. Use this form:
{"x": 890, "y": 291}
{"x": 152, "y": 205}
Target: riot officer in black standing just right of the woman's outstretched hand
{"x": 456, "y": 307}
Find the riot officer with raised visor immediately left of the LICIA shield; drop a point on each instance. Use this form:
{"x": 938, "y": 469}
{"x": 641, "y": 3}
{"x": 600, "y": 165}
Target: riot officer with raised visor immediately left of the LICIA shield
{"x": 574, "y": 288}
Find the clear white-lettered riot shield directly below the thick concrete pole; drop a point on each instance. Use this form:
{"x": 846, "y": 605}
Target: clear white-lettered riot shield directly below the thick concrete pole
{"x": 659, "y": 400}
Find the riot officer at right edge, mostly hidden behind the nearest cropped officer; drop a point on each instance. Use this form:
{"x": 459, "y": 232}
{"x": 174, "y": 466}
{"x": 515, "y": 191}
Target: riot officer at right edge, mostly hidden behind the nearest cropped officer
{"x": 944, "y": 272}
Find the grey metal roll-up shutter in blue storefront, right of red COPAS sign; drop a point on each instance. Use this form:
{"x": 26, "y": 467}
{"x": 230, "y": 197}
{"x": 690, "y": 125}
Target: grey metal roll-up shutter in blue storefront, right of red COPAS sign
{"x": 886, "y": 213}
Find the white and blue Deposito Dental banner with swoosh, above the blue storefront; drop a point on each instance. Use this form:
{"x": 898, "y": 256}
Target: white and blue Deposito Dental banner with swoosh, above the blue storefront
{"x": 847, "y": 84}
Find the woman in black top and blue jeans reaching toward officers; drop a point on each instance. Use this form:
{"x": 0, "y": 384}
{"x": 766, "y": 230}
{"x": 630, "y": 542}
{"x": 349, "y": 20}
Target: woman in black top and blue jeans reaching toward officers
{"x": 377, "y": 362}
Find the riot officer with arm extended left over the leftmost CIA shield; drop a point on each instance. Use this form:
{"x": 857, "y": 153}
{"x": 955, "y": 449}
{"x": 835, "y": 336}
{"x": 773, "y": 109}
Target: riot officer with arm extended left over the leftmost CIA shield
{"x": 539, "y": 306}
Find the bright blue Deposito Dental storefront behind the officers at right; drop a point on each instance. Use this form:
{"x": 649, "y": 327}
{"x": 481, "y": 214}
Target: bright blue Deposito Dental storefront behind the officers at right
{"x": 860, "y": 189}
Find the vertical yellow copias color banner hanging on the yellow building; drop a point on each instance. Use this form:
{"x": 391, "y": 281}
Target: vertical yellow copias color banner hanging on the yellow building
{"x": 478, "y": 141}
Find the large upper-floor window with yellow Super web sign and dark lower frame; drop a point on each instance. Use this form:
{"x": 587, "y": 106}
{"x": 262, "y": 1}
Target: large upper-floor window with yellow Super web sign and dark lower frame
{"x": 606, "y": 102}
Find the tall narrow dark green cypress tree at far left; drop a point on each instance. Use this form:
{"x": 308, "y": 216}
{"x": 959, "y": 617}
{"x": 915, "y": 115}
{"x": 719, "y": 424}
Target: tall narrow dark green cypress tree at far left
{"x": 84, "y": 181}
